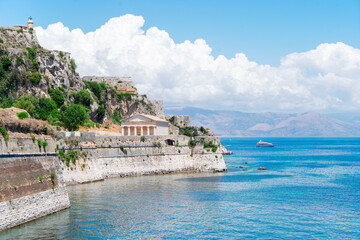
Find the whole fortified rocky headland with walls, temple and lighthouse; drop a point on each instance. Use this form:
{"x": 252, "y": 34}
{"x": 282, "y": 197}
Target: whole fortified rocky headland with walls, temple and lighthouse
{"x": 58, "y": 128}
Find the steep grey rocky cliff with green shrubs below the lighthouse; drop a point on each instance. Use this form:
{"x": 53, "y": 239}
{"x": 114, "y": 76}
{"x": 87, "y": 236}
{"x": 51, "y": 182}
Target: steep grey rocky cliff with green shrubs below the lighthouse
{"x": 27, "y": 69}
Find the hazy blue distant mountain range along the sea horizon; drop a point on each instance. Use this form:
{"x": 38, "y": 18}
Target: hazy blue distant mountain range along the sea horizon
{"x": 233, "y": 123}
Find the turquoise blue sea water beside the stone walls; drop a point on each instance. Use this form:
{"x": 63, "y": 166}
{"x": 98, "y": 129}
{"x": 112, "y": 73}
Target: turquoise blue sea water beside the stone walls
{"x": 311, "y": 190}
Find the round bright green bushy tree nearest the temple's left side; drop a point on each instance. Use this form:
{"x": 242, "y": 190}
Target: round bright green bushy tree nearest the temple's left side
{"x": 74, "y": 116}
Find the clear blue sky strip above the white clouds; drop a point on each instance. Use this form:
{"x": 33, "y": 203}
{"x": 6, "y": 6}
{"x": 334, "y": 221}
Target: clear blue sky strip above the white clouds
{"x": 264, "y": 30}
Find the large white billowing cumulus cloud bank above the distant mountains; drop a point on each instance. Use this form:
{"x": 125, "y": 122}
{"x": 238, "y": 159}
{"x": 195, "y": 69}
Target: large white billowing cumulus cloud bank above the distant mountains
{"x": 325, "y": 78}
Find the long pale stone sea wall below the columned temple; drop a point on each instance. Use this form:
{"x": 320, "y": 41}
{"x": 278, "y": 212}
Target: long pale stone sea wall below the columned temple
{"x": 115, "y": 156}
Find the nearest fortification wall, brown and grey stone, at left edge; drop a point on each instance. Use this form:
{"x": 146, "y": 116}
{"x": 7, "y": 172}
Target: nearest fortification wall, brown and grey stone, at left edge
{"x": 30, "y": 183}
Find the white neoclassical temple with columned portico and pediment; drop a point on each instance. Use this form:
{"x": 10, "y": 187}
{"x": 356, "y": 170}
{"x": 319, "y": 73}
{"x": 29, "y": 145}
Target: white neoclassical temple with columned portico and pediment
{"x": 144, "y": 125}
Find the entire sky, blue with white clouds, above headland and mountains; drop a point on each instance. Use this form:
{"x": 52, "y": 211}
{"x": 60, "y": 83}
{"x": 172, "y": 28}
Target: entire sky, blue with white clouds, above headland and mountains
{"x": 253, "y": 56}
